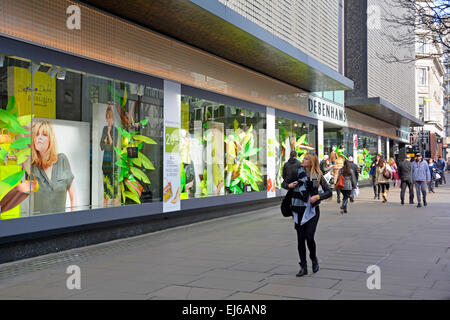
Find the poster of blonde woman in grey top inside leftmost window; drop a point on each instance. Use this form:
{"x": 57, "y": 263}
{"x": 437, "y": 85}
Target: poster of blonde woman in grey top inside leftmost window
{"x": 65, "y": 185}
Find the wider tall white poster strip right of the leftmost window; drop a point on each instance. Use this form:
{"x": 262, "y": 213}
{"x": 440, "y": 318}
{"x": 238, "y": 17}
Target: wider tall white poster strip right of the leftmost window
{"x": 172, "y": 160}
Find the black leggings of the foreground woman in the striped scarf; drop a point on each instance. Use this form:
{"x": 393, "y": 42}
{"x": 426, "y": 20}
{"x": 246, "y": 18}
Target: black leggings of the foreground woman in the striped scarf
{"x": 305, "y": 233}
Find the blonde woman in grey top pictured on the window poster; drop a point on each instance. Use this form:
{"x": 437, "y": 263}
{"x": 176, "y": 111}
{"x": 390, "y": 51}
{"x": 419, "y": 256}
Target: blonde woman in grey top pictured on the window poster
{"x": 51, "y": 170}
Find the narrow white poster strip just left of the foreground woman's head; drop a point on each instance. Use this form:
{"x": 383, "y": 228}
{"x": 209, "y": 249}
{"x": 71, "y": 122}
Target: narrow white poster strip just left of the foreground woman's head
{"x": 270, "y": 152}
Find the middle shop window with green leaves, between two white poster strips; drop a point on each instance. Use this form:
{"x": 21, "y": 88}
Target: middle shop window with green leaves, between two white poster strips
{"x": 222, "y": 149}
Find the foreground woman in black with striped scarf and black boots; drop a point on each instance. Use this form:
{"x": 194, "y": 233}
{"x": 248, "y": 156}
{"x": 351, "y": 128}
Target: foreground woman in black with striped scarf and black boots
{"x": 305, "y": 208}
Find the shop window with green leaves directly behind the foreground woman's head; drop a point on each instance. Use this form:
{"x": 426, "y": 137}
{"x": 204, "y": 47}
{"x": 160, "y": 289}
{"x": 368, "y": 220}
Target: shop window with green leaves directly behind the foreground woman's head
{"x": 292, "y": 135}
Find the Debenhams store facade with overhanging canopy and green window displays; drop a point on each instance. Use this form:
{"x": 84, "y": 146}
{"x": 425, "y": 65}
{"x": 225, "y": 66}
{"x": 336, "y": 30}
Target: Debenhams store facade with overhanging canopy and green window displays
{"x": 117, "y": 111}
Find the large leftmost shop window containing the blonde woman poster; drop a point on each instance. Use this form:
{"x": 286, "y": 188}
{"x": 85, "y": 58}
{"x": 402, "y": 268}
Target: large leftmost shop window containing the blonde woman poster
{"x": 74, "y": 141}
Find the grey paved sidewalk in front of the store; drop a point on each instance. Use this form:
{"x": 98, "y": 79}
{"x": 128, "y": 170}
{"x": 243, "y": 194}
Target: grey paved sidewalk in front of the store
{"x": 254, "y": 256}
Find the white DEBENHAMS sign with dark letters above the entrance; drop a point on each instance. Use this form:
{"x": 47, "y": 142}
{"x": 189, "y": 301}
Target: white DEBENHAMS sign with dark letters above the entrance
{"x": 327, "y": 111}
